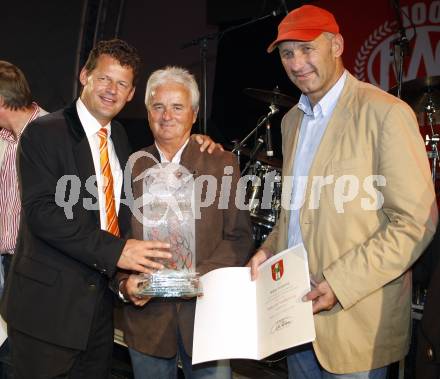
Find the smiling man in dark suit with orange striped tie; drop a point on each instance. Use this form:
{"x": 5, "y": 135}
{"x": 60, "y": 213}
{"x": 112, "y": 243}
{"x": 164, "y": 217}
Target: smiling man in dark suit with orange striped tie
{"x": 57, "y": 300}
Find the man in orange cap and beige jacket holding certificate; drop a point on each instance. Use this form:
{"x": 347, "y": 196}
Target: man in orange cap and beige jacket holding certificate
{"x": 359, "y": 197}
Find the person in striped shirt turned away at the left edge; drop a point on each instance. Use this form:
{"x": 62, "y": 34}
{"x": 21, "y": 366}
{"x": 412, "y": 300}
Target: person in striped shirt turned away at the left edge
{"x": 17, "y": 110}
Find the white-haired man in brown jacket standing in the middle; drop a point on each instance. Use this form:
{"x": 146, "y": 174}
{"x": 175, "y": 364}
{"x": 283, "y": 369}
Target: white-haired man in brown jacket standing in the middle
{"x": 159, "y": 331}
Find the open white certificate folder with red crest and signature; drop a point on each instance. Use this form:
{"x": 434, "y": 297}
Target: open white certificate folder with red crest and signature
{"x": 239, "y": 318}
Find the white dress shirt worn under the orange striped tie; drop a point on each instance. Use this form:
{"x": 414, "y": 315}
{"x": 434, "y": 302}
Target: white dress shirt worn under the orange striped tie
{"x": 91, "y": 128}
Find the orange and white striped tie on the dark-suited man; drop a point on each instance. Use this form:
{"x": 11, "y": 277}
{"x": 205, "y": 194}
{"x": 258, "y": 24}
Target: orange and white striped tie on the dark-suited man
{"x": 107, "y": 180}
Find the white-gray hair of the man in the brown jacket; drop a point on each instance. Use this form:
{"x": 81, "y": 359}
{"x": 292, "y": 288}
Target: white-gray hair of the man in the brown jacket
{"x": 173, "y": 74}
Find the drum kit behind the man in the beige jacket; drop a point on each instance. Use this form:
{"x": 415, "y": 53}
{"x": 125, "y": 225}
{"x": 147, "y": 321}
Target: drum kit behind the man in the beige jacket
{"x": 264, "y": 171}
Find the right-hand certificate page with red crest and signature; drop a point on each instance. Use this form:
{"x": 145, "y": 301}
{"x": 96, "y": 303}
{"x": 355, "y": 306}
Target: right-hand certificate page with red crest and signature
{"x": 284, "y": 320}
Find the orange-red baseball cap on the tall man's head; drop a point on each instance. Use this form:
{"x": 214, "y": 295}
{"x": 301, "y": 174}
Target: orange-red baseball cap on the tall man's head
{"x": 304, "y": 24}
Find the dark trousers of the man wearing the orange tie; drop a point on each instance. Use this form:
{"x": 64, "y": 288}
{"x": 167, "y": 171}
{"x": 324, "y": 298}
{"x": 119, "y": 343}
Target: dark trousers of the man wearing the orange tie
{"x": 36, "y": 359}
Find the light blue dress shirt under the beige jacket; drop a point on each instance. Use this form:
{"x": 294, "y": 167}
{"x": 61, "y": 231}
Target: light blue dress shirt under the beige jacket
{"x": 313, "y": 126}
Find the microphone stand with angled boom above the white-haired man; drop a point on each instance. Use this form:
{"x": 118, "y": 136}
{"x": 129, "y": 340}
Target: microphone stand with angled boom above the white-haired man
{"x": 202, "y": 41}
